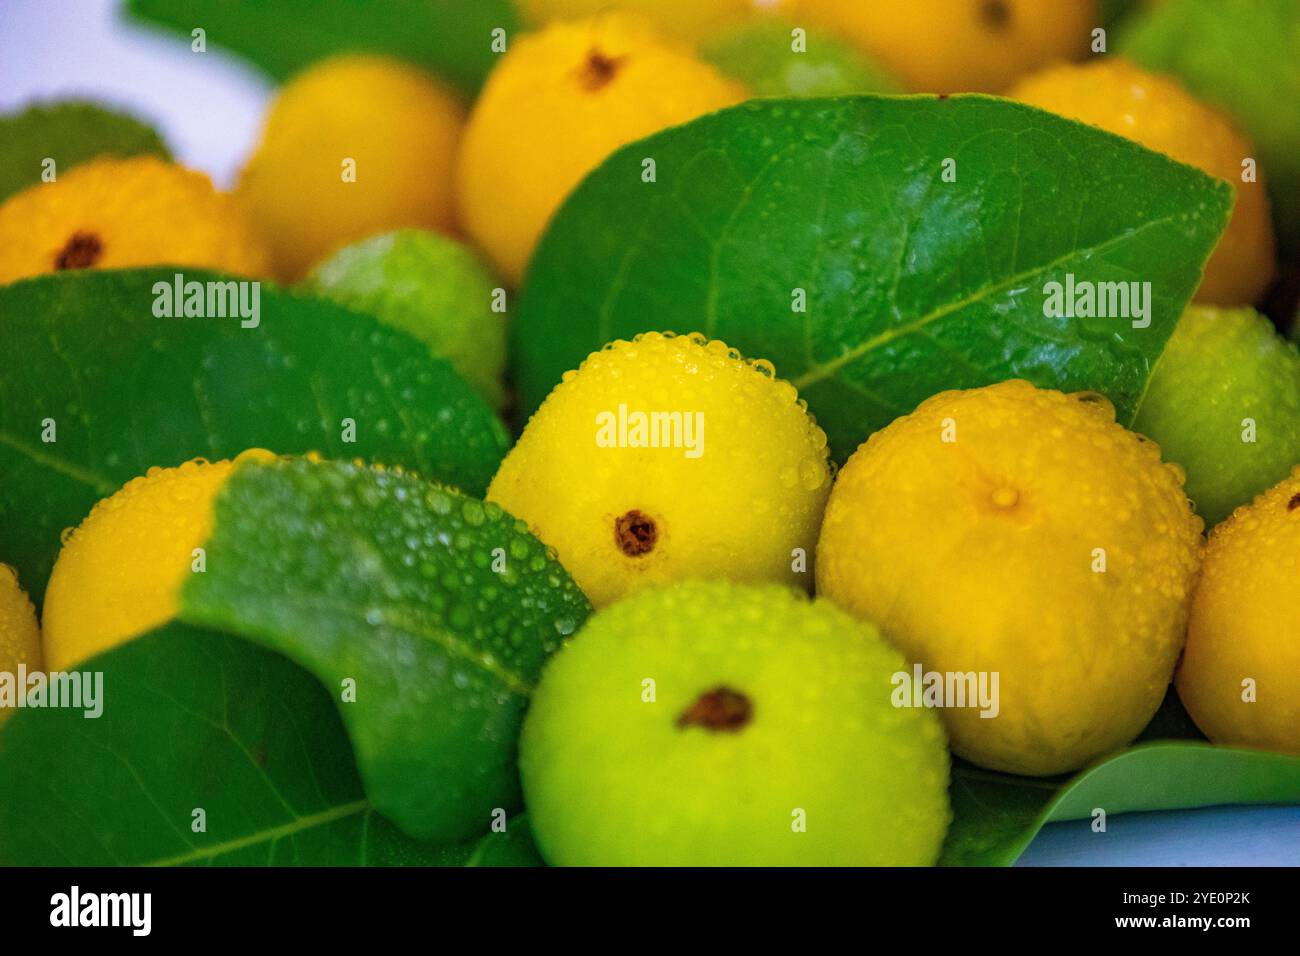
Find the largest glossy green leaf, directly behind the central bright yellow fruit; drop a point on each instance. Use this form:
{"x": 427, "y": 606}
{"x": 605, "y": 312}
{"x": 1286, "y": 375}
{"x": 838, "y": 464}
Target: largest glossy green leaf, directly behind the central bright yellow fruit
{"x": 913, "y": 284}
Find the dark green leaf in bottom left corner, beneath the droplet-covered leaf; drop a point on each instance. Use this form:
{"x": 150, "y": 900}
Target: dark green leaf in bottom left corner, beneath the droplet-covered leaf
{"x": 201, "y": 721}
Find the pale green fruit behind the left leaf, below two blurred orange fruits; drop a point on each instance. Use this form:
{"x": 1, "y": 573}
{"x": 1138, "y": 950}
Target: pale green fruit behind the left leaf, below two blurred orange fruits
{"x": 430, "y": 285}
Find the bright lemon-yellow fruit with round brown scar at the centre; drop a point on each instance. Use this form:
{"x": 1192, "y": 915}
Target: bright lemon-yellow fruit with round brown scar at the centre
{"x": 736, "y": 512}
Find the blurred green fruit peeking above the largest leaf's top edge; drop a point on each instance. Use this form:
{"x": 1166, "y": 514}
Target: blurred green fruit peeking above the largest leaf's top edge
{"x": 761, "y": 55}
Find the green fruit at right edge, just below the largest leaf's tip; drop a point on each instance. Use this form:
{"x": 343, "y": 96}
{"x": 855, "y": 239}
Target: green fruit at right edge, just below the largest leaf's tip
{"x": 1225, "y": 404}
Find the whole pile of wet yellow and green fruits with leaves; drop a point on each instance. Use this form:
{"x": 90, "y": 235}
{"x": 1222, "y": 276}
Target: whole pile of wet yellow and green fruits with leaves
{"x": 658, "y": 434}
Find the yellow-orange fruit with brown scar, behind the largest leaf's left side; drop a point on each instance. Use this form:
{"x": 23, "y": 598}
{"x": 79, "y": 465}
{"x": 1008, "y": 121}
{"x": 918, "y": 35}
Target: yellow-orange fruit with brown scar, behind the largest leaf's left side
{"x": 557, "y": 105}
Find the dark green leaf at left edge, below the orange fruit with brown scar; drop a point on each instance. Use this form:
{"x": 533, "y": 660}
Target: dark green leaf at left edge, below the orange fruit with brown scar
{"x": 128, "y": 391}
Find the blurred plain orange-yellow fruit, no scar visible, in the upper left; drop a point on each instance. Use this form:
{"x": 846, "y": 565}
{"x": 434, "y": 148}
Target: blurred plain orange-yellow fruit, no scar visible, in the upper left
{"x": 353, "y": 146}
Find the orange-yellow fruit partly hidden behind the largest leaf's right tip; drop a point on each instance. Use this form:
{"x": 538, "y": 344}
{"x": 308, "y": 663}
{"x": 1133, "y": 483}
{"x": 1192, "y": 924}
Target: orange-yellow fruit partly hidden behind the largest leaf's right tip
{"x": 1162, "y": 115}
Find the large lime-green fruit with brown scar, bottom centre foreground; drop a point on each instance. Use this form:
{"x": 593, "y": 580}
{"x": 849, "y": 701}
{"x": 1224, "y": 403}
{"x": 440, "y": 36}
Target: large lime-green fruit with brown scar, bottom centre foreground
{"x": 713, "y": 724}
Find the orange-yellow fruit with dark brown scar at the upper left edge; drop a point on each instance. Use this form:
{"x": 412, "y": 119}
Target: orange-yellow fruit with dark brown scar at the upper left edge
{"x": 127, "y": 213}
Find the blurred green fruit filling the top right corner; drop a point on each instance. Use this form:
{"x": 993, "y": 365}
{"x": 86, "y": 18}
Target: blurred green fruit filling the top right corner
{"x": 1242, "y": 57}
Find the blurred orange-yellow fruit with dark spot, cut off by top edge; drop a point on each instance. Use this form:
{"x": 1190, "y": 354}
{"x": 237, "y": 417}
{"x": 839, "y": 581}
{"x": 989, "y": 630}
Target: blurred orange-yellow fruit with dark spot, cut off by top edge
{"x": 957, "y": 46}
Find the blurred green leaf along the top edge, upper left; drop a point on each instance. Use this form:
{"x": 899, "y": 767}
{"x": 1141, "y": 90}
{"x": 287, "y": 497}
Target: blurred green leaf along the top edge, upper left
{"x": 452, "y": 38}
